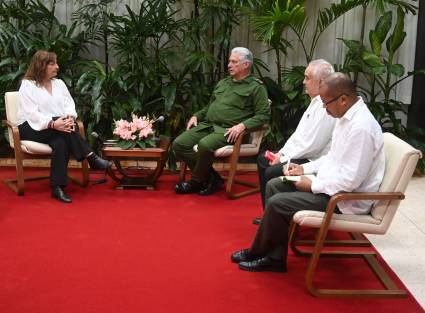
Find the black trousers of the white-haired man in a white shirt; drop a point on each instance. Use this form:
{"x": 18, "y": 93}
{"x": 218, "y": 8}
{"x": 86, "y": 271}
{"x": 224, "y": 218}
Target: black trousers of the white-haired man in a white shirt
{"x": 267, "y": 172}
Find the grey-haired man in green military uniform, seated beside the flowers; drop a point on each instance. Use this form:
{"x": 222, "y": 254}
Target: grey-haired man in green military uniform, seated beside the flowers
{"x": 238, "y": 102}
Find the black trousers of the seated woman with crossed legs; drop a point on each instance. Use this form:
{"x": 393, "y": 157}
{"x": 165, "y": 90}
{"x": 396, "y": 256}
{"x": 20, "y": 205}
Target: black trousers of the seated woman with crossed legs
{"x": 62, "y": 144}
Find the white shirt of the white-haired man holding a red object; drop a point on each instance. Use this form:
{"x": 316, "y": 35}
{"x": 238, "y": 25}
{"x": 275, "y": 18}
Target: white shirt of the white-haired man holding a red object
{"x": 312, "y": 138}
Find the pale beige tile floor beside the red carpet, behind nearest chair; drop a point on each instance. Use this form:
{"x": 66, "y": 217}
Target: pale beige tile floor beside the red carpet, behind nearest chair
{"x": 403, "y": 246}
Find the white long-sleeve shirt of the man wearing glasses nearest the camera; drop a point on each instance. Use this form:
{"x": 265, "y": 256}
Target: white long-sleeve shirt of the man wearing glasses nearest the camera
{"x": 355, "y": 162}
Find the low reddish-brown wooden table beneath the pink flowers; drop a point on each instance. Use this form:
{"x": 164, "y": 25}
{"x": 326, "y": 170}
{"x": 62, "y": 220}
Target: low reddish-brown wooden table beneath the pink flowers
{"x": 136, "y": 176}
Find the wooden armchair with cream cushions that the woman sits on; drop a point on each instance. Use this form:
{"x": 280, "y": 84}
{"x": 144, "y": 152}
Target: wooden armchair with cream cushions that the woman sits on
{"x": 26, "y": 149}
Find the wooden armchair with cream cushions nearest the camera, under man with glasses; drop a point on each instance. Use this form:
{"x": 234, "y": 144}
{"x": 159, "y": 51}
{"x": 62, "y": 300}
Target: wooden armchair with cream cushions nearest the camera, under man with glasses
{"x": 400, "y": 161}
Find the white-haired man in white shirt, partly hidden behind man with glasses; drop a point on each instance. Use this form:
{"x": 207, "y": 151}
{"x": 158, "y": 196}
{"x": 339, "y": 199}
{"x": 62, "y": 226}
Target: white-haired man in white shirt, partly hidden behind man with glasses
{"x": 312, "y": 137}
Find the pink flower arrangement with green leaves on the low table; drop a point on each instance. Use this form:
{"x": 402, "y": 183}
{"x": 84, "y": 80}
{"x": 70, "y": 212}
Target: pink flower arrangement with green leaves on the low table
{"x": 137, "y": 133}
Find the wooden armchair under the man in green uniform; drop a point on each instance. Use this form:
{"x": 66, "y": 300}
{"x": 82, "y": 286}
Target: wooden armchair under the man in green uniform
{"x": 231, "y": 154}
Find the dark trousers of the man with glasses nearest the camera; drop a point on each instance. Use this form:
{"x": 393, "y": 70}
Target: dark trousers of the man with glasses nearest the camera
{"x": 283, "y": 201}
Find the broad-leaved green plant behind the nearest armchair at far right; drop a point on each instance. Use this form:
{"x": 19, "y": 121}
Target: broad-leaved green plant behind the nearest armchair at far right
{"x": 382, "y": 76}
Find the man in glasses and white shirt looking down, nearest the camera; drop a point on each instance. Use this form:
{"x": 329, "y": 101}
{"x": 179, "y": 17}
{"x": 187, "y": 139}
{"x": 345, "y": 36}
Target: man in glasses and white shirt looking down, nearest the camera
{"x": 354, "y": 163}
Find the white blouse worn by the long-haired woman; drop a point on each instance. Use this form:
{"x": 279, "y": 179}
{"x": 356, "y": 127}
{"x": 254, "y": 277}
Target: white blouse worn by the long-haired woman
{"x": 37, "y": 106}
